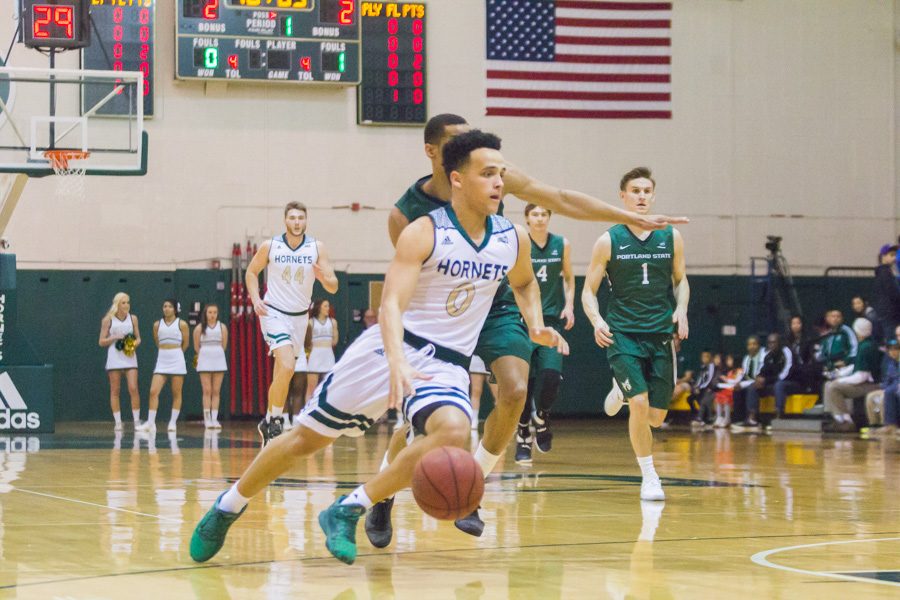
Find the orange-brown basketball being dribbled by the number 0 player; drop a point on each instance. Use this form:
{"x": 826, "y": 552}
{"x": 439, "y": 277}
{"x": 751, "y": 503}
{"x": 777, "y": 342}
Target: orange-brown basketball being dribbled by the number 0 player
{"x": 448, "y": 484}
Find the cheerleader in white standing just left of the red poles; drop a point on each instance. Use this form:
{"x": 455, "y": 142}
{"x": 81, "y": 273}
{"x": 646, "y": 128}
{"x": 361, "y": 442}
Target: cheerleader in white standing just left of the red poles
{"x": 210, "y": 342}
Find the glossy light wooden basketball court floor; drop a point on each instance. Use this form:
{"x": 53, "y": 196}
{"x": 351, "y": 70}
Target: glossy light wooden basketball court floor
{"x": 89, "y": 515}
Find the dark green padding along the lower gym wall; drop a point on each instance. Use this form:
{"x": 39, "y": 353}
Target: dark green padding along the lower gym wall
{"x": 60, "y": 312}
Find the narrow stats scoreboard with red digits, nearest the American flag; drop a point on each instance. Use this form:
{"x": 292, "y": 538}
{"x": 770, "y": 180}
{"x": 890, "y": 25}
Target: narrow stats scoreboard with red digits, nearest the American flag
{"x": 392, "y": 91}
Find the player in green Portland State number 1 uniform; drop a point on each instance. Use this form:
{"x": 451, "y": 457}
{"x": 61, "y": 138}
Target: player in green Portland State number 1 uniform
{"x": 648, "y": 293}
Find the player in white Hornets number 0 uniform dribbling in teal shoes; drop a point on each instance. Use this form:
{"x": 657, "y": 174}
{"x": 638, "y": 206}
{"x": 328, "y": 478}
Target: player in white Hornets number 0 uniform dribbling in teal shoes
{"x": 437, "y": 293}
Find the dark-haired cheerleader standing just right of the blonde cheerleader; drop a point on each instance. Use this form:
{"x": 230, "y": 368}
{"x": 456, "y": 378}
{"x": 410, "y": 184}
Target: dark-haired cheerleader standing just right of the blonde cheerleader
{"x": 172, "y": 337}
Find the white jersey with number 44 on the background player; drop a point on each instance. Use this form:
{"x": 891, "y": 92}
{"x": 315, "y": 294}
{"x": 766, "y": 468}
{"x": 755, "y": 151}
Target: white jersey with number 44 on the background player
{"x": 290, "y": 276}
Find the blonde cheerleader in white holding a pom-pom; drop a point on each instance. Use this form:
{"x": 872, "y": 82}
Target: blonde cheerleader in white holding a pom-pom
{"x": 116, "y": 326}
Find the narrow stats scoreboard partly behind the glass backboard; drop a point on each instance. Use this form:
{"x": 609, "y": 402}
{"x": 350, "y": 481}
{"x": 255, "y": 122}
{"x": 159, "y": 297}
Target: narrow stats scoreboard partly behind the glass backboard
{"x": 124, "y": 41}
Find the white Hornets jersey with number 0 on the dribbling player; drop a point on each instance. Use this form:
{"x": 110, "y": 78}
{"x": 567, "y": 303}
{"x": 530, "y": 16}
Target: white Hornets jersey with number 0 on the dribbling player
{"x": 459, "y": 280}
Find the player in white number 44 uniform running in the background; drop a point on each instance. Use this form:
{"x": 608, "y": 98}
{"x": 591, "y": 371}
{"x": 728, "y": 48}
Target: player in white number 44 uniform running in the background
{"x": 293, "y": 261}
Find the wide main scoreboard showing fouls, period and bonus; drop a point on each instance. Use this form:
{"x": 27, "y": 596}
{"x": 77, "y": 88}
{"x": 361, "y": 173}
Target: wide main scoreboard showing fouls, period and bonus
{"x": 299, "y": 41}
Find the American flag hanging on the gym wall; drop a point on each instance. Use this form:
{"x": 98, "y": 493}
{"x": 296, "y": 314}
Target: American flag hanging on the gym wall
{"x": 579, "y": 59}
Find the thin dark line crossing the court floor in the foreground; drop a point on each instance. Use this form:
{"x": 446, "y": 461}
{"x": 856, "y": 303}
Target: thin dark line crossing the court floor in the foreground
{"x": 328, "y": 557}
